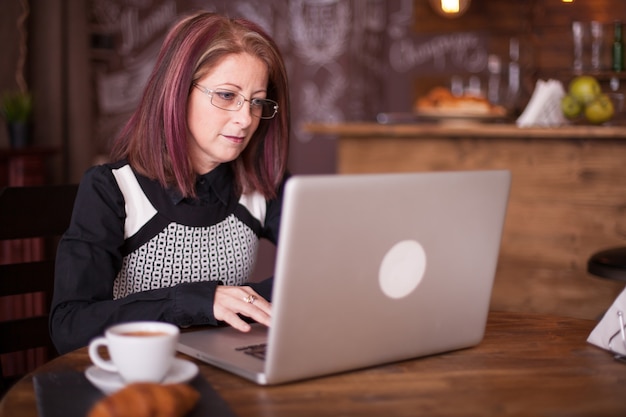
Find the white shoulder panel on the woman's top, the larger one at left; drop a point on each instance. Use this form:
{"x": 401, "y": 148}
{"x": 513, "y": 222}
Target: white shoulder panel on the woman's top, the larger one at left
{"x": 138, "y": 208}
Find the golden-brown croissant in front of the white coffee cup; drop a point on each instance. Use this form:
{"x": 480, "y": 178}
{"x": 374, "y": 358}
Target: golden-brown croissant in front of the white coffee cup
{"x": 149, "y": 400}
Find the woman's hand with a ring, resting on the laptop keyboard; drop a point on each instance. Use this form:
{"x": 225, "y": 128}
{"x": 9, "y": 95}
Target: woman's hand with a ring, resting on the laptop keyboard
{"x": 230, "y": 301}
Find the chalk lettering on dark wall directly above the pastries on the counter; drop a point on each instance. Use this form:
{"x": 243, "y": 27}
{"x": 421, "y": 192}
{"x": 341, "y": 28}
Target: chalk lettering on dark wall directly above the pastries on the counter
{"x": 440, "y": 53}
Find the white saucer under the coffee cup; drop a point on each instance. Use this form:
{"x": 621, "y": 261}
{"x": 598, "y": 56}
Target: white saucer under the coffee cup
{"x": 109, "y": 382}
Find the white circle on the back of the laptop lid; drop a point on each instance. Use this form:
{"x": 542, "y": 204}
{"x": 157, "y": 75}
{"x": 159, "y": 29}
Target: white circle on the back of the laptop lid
{"x": 402, "y": 269}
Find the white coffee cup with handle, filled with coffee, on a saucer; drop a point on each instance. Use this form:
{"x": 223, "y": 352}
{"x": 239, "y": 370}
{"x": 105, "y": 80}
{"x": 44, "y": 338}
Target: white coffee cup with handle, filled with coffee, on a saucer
{"x": 140, "y": 351}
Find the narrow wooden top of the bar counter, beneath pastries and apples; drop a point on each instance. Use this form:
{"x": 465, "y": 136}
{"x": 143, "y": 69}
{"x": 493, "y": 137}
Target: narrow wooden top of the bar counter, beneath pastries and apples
{"x": 466, "y": 130}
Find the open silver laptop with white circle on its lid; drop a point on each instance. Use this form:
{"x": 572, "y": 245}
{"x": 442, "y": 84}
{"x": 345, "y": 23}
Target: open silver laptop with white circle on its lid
{"x": 371, "y": 269}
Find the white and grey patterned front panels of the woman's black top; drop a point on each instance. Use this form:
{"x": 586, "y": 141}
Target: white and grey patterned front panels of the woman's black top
{"x": 225, "y": 251}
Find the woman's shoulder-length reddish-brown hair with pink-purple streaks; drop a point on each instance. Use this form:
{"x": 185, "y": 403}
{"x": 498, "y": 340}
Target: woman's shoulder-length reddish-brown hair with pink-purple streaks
{"x": 155, "y": 138}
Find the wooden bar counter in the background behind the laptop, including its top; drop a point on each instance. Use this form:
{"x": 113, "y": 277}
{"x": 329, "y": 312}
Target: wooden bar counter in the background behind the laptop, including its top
{"x": 567, "y": 201}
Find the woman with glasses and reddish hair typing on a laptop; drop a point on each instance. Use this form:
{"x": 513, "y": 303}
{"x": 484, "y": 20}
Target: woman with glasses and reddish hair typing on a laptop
{"x": 169, "y": 231}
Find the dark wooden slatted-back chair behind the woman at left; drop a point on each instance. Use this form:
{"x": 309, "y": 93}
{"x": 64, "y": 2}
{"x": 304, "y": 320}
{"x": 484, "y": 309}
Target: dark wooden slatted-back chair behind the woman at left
{"x": 31, "y": 221}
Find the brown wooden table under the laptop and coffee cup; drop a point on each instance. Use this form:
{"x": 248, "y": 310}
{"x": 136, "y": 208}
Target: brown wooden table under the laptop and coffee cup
{"x": 527, "y": 365}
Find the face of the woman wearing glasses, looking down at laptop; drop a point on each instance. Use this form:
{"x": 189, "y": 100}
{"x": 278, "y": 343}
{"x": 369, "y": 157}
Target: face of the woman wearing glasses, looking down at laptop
{"x": 216, "y": 135}
